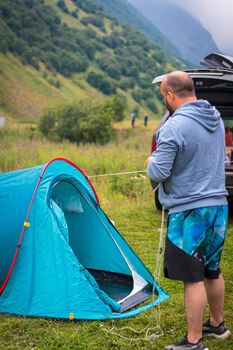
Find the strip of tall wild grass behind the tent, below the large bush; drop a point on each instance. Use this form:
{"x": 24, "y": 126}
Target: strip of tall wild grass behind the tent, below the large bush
{"x": 23, "y": 147}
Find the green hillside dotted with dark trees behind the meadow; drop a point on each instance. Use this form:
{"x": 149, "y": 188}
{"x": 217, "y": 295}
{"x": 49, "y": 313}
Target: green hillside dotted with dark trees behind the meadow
{"x": 71, "y": 49}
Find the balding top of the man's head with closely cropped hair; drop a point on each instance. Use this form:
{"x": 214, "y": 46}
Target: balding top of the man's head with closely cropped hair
{"x": 180, "y": 83}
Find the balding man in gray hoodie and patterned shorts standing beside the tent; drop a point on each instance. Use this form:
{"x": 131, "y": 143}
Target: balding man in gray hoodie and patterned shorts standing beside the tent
{"x": 189, "y": 165}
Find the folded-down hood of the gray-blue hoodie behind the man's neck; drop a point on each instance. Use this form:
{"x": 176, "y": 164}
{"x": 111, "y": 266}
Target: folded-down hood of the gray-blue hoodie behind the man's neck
{"x": 202, "y": 112}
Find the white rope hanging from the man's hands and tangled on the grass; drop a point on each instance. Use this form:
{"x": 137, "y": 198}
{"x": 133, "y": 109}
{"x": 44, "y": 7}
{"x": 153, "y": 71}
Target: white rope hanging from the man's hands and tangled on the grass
{"x": 156, "y": 314}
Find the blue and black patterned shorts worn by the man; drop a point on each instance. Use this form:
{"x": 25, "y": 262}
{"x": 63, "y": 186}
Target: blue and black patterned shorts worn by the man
{"x": 194, "y": 243}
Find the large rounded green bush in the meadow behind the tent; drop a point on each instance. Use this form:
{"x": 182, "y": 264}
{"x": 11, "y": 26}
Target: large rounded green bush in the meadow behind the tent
{"x": 86, "y": 121}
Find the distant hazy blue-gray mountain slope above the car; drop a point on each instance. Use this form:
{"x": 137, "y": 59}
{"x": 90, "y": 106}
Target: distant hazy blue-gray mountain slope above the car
{"x": 185, "y": 32}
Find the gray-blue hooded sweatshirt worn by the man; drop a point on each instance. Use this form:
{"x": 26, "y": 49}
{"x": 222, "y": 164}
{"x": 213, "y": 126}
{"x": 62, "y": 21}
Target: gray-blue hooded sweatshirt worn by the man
{"x": 189, "y": 159}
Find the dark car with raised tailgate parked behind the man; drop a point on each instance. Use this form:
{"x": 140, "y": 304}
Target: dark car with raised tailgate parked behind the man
{"x": 215, "y": 84}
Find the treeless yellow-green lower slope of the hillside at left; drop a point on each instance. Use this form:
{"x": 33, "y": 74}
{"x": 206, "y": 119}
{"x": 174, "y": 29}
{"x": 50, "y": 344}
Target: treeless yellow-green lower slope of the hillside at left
{"x": 25, "y": 91}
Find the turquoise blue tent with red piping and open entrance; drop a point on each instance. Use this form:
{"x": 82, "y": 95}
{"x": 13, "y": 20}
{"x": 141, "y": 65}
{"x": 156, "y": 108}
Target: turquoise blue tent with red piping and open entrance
{"x": 60, "y": 255}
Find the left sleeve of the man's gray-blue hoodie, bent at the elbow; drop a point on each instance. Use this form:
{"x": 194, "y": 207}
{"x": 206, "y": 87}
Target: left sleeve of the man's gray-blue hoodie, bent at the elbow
{"x": 160, "y": 166}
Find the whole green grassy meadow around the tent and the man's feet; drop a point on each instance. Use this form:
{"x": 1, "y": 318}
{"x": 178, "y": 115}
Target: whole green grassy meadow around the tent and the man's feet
{"x": 128, "y": 200}
